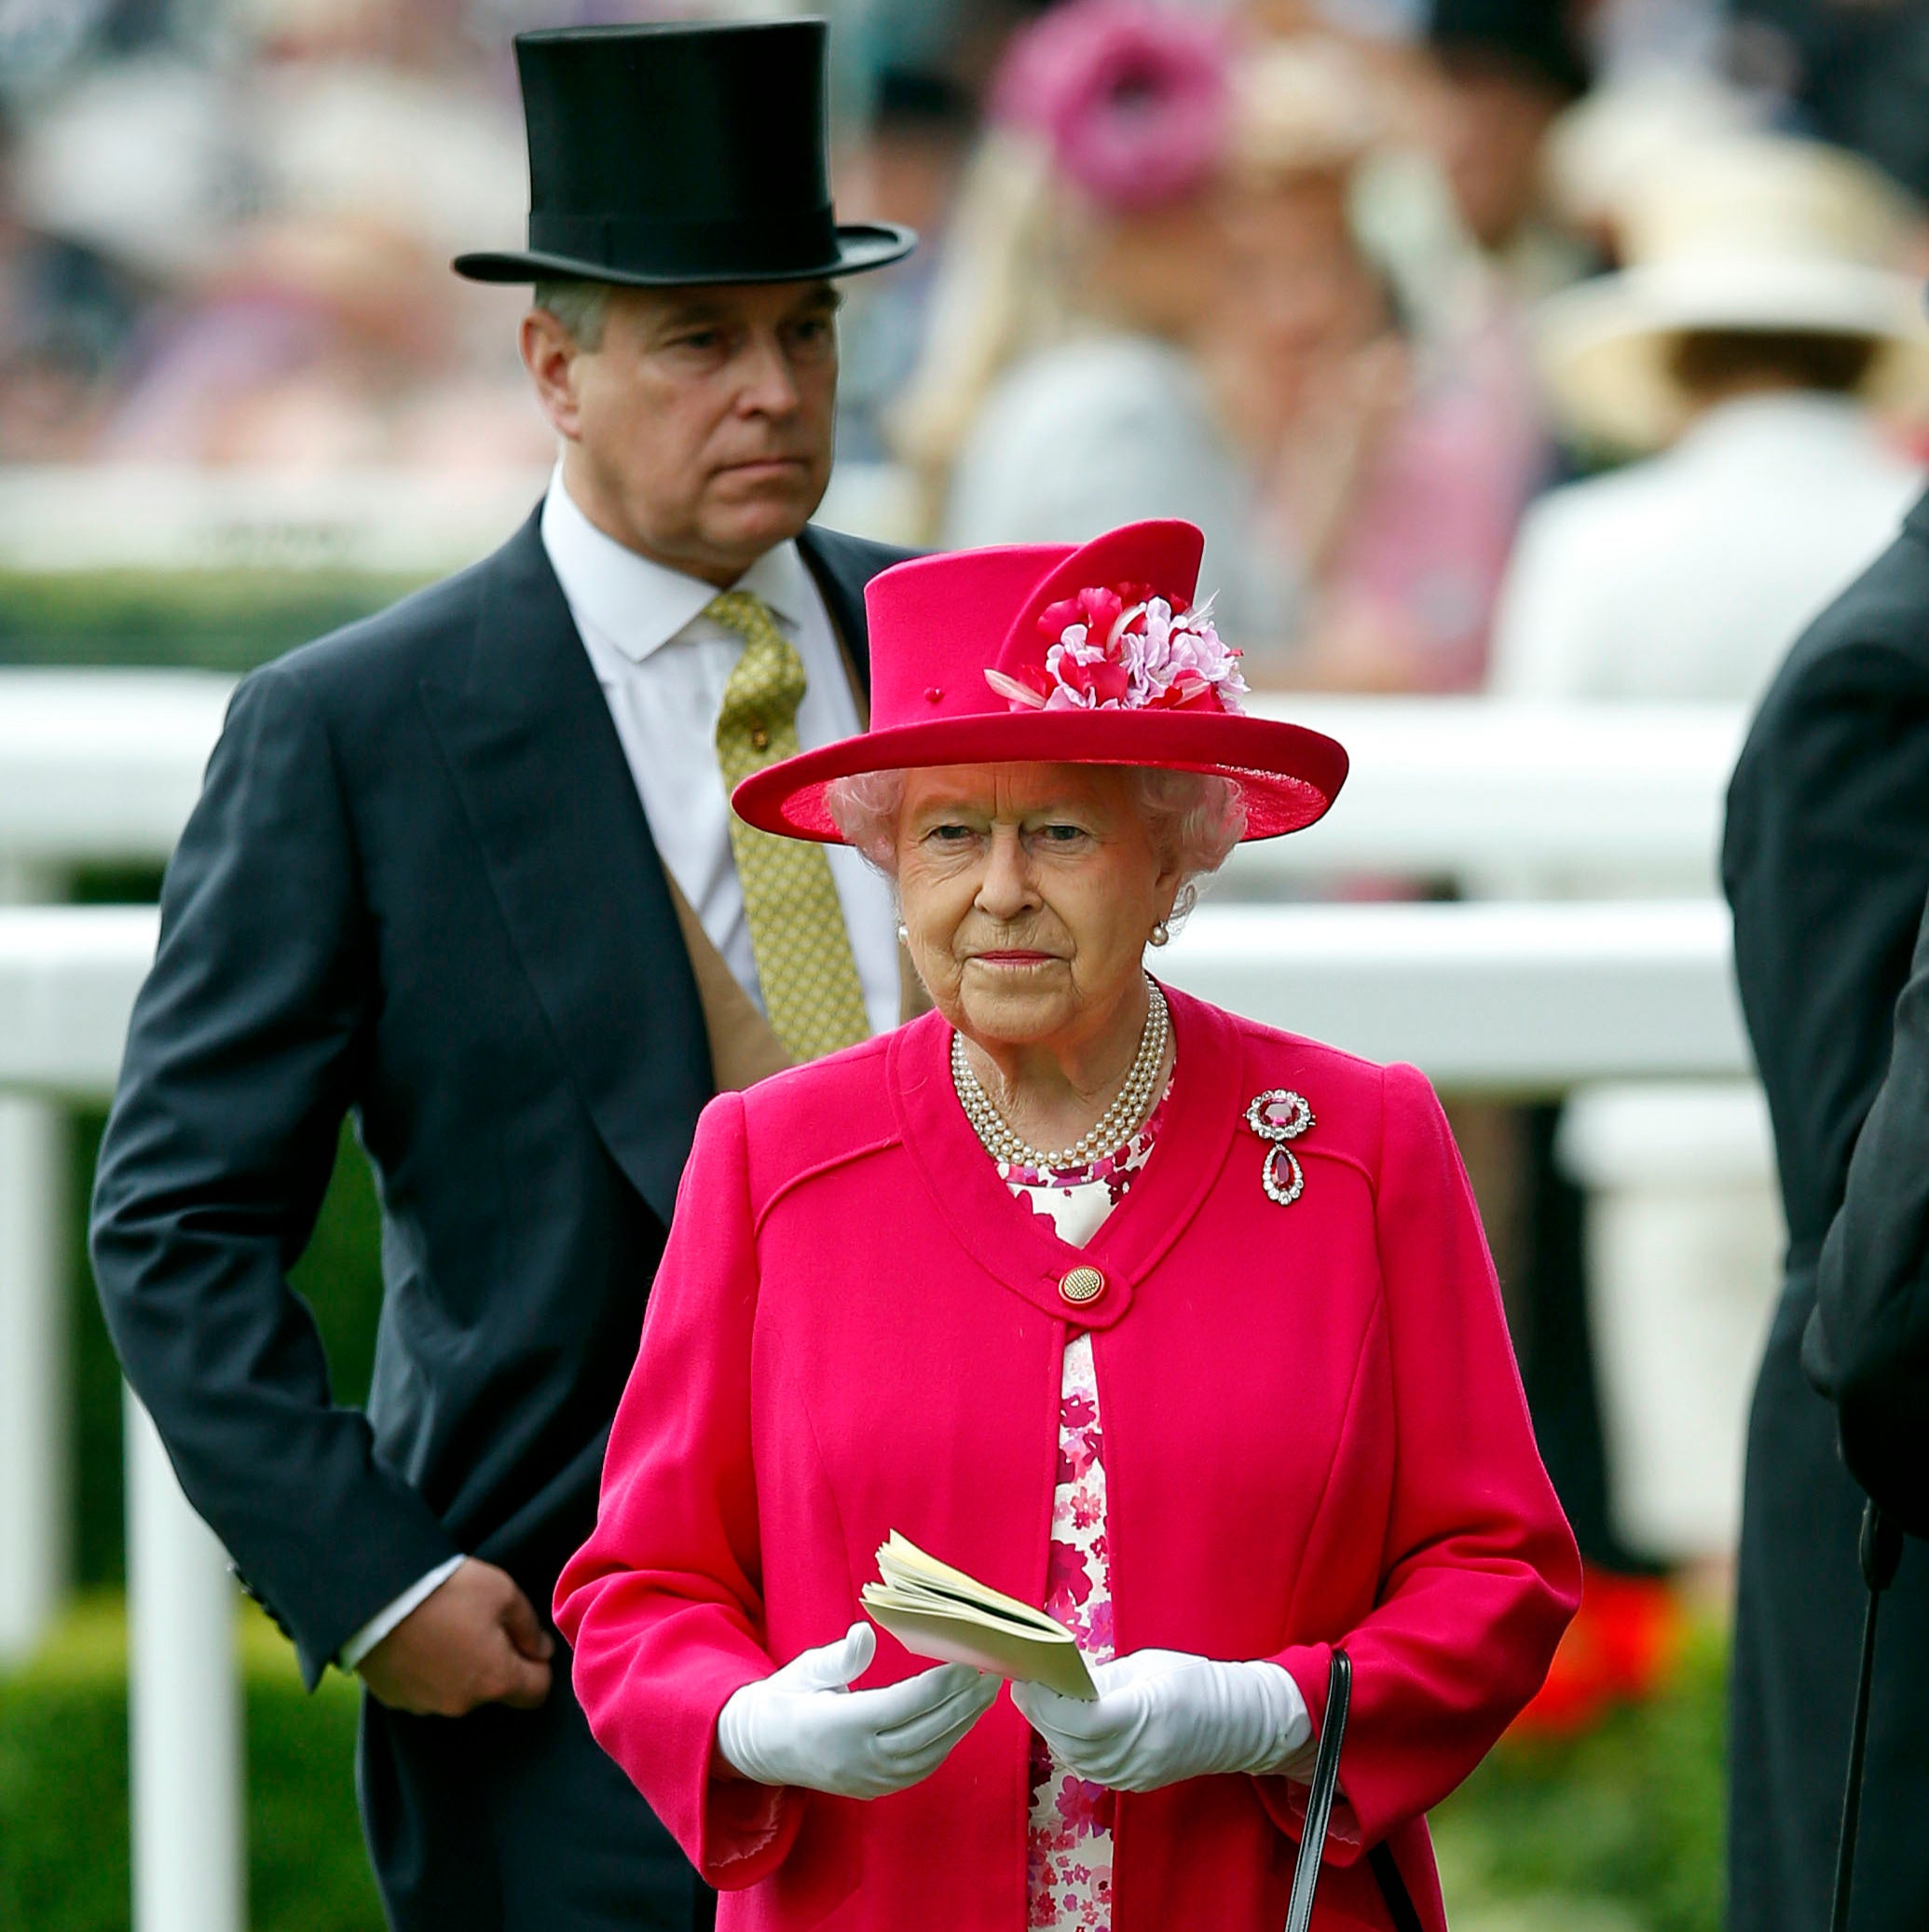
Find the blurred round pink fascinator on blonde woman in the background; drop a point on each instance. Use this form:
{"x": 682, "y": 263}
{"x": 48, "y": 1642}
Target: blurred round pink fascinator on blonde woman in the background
{"x": 1131, "y": 96}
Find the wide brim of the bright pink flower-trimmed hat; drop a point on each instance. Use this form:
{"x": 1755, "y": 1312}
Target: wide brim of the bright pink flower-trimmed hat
{"x": 1289, "y": 776}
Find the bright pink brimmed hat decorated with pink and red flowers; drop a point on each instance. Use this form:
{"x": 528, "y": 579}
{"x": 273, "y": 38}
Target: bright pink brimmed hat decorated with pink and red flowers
{"x": 1057, "y": 654}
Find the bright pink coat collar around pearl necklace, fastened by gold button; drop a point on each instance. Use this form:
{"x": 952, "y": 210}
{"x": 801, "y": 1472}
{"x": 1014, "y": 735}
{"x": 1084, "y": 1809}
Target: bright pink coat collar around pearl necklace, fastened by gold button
{"x": 1019, "y": 1247}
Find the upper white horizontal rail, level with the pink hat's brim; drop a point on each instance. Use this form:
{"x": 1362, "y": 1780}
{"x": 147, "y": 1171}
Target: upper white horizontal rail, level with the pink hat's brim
{"x": 107, "y": 764}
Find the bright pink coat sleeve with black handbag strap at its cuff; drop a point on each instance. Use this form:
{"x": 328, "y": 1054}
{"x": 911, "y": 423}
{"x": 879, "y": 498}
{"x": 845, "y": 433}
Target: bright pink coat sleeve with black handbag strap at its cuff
{"x": 1478, "y": 1570}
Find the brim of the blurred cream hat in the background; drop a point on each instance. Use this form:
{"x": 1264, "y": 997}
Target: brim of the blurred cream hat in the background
{"x": 1606, "y": 347}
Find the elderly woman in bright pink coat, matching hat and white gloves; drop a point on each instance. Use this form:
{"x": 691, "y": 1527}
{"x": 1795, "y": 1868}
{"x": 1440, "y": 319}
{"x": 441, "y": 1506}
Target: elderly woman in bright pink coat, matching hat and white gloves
{"x": 1169, "y": 1322}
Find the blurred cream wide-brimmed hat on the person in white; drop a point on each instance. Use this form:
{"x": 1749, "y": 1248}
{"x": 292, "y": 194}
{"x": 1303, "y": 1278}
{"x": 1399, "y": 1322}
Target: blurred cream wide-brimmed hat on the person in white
{"x": 1756, "y": 235}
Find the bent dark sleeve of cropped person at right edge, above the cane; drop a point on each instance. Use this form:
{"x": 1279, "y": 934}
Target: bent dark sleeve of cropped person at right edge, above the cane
{"x": 1870, "y": 1334}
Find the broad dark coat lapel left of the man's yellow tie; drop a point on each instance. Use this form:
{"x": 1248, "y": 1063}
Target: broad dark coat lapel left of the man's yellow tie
{"x": 555, "y": 810}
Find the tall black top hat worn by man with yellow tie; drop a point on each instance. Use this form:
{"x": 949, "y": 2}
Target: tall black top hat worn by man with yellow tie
{"x": 681, "y": 154}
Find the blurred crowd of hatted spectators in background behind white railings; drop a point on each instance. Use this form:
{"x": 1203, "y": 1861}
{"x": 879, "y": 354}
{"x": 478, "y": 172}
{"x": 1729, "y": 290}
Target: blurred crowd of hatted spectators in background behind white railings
{"x": 1364, "y": 287}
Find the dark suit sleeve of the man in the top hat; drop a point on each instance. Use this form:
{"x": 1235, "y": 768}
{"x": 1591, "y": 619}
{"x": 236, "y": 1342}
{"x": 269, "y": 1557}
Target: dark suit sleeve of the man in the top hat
{"x": 240, "y": 1067}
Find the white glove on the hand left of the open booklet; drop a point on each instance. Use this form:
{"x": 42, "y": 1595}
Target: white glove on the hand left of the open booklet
{"x": 802, "y": 1724}
